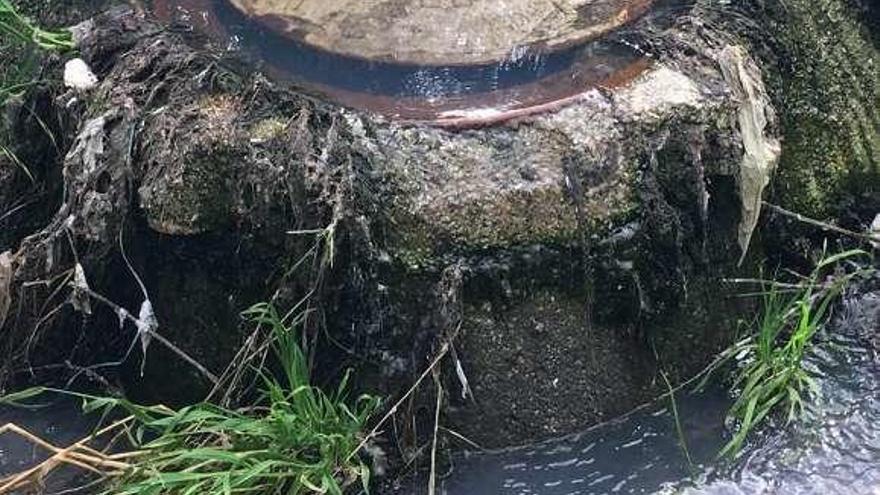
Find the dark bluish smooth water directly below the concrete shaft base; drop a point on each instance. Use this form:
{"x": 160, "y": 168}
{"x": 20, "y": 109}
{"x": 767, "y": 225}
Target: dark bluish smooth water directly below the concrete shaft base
{"x": 637, "y": 454}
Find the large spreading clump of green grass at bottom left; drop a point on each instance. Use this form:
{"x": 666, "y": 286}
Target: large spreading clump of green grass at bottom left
{"x": 295, "y": 440}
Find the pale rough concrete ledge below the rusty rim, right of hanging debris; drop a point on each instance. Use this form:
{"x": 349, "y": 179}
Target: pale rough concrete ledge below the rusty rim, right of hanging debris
{"x": 545, "y": 179}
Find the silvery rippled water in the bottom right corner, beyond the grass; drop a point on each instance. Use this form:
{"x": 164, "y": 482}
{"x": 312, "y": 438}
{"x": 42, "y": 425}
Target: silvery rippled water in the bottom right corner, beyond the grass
{"x": 837, "y": 449}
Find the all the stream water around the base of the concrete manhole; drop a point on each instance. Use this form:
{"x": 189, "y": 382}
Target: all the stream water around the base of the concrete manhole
{"x": 836, "y": 450}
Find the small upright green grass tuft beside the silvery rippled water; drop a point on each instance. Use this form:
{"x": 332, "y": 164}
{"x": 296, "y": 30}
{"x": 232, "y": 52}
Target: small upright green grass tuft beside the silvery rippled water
{"x": 771, "y": 377}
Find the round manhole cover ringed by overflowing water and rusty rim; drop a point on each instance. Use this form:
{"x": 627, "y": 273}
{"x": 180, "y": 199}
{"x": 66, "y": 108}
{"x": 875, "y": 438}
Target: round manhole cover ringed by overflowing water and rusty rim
{"x": 451, "y": 80}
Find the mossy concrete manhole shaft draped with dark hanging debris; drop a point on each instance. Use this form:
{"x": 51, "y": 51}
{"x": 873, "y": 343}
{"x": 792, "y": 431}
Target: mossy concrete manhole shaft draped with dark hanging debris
{"x": 521, "y": 207}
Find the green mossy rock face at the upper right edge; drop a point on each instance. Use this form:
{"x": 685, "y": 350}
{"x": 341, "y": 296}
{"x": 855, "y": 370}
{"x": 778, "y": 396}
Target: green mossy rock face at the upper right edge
{"x": 829, "y": 84}
